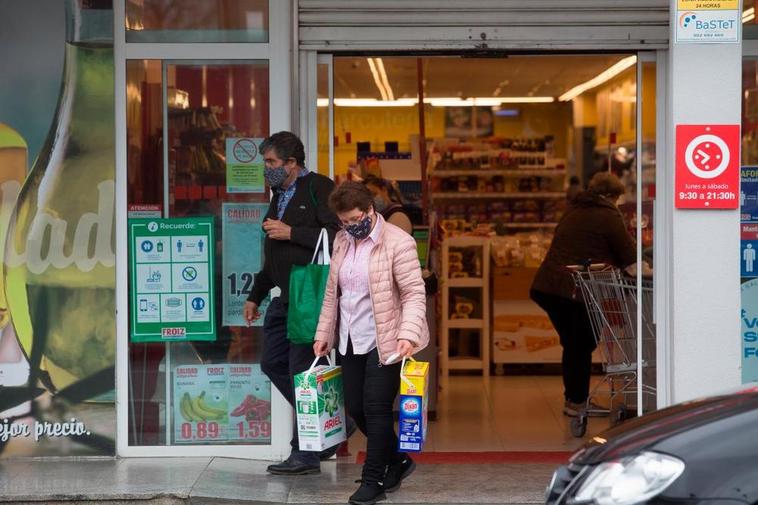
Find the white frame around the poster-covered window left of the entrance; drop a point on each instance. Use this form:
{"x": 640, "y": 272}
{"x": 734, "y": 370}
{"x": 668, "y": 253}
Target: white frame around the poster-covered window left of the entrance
{"x": 277, "y": 53}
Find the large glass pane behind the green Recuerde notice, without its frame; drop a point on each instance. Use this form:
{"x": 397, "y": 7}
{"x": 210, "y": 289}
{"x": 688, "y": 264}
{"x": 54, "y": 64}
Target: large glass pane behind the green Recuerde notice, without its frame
{"x": 214, "y": 113}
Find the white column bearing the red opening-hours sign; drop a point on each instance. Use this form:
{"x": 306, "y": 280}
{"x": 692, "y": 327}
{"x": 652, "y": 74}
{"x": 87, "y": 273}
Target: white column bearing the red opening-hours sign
{"x": 701, "y": 268}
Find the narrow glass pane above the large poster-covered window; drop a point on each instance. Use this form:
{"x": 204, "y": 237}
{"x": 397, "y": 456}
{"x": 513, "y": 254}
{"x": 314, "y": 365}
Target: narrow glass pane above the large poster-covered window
{"x": 197, "y": 21}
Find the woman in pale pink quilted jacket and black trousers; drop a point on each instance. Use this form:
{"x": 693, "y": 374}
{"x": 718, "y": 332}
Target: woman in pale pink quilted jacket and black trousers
{"x": 374, "y": 313}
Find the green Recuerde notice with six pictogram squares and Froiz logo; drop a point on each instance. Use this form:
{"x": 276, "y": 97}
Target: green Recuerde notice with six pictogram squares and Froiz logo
{"x": 171, "y": 279}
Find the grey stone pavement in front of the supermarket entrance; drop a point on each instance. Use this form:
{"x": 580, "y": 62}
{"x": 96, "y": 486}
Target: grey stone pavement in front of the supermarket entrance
{"x": 200, "y": 481}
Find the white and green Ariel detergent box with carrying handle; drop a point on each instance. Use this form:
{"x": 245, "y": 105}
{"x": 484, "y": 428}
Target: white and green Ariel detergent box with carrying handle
{"x": 320, "y": 406}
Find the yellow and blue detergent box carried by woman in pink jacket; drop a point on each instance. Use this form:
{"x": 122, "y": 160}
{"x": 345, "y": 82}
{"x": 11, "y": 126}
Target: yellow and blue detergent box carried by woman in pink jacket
{"x": 414, "y": 403}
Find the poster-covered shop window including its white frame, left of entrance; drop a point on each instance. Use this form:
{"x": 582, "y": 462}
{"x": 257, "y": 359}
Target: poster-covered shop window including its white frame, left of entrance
{"x": 198, "y": 100}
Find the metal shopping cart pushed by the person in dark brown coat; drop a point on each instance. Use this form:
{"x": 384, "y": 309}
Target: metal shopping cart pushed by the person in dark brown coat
{"x": 611, "y": 301}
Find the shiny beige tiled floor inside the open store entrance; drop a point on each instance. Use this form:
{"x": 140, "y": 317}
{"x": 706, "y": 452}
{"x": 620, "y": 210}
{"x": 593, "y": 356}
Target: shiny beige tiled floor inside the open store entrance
{"x": 515, "y": 413}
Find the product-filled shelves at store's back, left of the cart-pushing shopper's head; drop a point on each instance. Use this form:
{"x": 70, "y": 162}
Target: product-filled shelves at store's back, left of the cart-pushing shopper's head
{"x": 480, "y": 187}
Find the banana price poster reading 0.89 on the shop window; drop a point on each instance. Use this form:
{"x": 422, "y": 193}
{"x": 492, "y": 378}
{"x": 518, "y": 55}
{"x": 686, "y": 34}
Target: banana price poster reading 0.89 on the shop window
{"x": 201, "y": 403}
